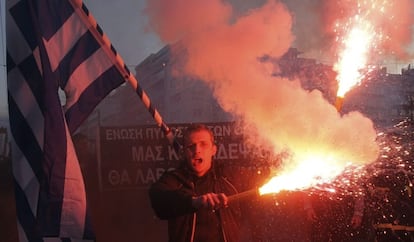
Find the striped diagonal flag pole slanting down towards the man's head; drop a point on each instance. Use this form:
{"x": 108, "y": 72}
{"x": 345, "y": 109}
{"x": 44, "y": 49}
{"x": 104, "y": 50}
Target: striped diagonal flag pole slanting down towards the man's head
{"x": 100, "y": 36}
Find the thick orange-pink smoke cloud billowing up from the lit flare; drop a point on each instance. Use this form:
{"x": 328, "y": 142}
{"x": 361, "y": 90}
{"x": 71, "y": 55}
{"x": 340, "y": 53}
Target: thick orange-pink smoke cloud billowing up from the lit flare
{"x": 223, "y": 49}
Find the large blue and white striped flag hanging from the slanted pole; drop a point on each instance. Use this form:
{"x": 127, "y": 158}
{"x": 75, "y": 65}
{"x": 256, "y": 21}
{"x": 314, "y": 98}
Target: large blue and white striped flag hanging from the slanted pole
{"x": 52, "y": 45}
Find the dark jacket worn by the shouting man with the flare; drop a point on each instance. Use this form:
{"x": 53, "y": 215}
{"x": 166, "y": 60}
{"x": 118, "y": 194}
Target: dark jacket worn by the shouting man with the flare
{"x": 171, "y": 200}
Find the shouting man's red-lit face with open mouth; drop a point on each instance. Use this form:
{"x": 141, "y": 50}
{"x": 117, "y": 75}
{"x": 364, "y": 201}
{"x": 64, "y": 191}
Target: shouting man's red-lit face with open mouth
{"x": 199, "y": 150}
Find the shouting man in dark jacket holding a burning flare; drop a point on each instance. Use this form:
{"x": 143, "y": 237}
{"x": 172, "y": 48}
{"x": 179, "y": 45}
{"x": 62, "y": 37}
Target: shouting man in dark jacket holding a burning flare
{"x": 194, "y": 198}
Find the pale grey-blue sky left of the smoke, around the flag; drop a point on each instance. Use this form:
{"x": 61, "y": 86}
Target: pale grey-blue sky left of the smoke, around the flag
{"x": 121, "y": 20}
